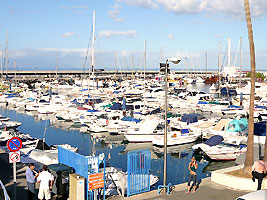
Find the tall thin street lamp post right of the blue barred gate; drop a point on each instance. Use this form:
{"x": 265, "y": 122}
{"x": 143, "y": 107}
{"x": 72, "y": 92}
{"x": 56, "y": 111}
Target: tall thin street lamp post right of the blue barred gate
{"x": 175, "y": 61}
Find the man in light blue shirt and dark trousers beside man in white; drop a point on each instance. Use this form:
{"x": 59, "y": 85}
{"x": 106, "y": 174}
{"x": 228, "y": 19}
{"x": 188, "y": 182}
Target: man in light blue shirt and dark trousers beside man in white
{"x": 31, "y": 180}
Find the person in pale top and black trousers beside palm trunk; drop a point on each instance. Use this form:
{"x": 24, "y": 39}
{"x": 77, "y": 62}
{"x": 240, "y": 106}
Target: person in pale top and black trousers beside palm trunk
{"x": 259, "y": 171}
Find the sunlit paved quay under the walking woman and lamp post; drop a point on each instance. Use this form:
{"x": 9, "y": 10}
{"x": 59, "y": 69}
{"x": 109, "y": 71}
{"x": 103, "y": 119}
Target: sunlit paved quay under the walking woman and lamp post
{"x": 207, "y": 191}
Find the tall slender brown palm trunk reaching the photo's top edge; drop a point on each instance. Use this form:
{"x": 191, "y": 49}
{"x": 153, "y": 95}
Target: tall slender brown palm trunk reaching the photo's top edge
{"x": 250, "y": 146}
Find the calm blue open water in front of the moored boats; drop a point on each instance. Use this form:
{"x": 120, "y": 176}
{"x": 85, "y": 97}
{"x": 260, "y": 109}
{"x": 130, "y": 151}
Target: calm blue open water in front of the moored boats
{"x": 177, "y": 160}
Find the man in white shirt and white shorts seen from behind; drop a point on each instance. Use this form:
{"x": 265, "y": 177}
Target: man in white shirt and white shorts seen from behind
{"x": 46, "y": 181}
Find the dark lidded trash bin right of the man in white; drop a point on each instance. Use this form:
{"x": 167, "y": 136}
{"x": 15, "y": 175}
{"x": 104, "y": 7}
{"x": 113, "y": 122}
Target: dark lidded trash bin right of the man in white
{"x": 61, "y": 178}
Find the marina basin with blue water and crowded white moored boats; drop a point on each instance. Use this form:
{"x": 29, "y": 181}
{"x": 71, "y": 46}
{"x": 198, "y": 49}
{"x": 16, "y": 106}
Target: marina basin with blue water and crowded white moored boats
{"x": 100, "y": 121}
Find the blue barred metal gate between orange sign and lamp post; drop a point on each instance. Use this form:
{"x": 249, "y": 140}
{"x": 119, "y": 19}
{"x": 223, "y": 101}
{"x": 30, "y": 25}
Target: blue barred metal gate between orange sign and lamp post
{"x": 138, "y": 169}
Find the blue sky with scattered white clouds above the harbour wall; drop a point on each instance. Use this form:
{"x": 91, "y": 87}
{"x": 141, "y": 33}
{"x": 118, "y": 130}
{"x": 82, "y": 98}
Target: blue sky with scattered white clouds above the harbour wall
{"x": 57, "y": 34}
